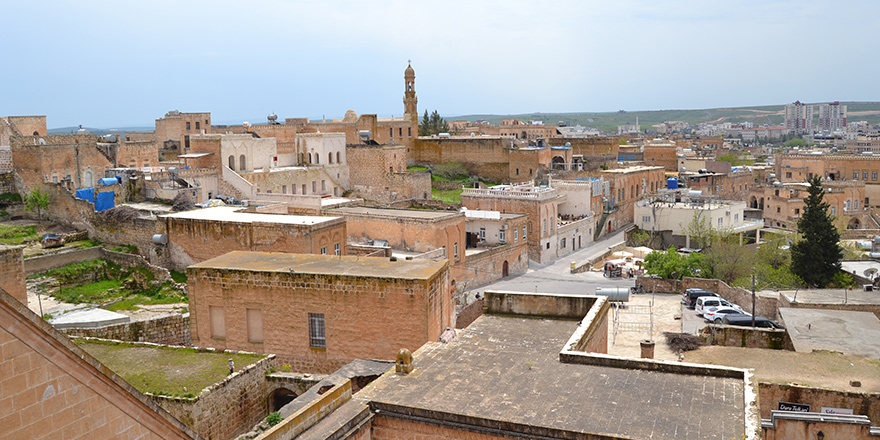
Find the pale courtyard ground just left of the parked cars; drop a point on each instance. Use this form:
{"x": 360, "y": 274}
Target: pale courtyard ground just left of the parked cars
{"x": 667, "y": 310}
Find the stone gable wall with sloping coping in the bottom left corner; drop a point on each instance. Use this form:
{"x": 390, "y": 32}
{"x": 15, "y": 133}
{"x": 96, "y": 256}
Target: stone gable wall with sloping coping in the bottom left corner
{"x": 51, "y": 388}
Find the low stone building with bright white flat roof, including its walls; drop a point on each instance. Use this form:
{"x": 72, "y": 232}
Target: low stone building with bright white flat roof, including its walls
{"x": 199, "y": 235}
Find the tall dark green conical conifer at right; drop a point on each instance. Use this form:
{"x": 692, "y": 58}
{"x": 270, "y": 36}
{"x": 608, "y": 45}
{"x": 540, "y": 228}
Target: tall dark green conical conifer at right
{"x": 816, "y": 256}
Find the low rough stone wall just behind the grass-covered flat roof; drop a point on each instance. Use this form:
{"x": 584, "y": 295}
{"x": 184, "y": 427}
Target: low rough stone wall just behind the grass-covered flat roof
{"x": 166, "y": 330}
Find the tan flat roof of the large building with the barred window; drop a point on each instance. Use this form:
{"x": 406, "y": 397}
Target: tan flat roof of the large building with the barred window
{"x": 352, "y": 266}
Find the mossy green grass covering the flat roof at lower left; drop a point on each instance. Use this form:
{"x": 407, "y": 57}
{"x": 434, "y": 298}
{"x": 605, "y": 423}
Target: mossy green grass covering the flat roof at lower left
{"x": 182, "y": 372}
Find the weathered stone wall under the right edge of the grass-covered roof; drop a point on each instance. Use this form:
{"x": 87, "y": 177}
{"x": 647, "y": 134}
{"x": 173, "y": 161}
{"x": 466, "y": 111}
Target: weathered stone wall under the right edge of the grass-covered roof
{"x": 228, "y": 408}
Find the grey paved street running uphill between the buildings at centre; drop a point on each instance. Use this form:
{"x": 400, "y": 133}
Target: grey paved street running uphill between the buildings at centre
{"x": 556, "y": 277}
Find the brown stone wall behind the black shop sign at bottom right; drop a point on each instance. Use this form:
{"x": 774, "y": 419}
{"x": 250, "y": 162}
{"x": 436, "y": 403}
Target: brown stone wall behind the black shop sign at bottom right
{"x": 770, "y": 394}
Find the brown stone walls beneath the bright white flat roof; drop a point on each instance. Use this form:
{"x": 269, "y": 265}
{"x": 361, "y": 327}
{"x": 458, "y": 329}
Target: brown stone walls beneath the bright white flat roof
{"x": 192, "y": 241}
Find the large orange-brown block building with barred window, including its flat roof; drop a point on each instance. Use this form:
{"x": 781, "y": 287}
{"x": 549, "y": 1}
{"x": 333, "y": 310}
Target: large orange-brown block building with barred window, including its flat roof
{"x": 318, "y": 312}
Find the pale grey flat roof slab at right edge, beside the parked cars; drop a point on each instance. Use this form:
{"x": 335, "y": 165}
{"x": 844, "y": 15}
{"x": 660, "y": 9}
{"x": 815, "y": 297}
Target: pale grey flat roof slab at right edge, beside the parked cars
{"x": 844, "y": 331}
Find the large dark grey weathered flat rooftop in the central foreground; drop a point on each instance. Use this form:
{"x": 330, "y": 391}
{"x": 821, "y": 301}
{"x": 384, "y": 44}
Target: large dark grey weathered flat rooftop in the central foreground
{"x": 506, "y": 370}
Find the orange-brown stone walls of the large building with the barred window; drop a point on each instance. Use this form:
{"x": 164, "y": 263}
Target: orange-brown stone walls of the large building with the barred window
{"x": 364, "y": 317}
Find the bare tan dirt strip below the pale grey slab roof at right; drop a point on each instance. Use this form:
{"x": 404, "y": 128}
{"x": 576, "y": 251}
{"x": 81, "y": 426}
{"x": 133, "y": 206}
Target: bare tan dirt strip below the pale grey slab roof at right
{"x": 818, "y": 369}
